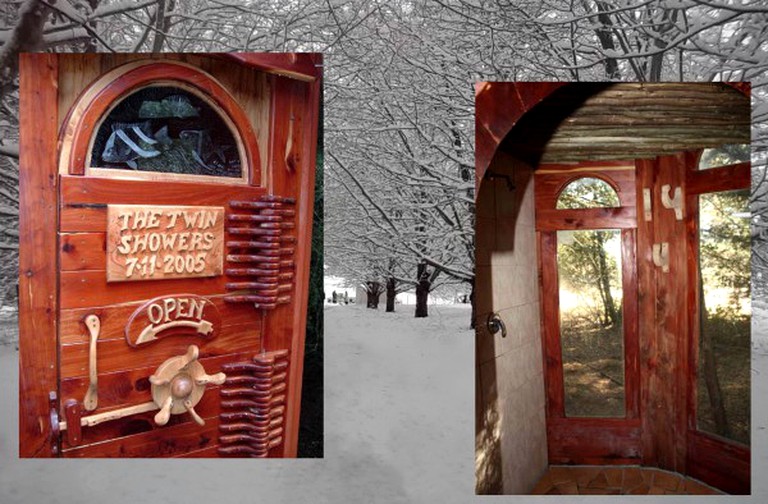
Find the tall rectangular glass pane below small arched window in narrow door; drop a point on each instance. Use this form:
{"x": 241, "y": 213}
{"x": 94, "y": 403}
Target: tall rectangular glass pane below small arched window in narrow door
{"x": 591, "y": 329}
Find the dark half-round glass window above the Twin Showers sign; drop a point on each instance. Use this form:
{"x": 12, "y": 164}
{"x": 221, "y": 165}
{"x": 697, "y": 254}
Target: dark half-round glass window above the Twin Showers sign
{"x": 166, "y": 129}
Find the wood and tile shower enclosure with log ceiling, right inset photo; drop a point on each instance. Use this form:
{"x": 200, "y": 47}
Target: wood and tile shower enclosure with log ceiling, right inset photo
{"x": 532, "y": 140}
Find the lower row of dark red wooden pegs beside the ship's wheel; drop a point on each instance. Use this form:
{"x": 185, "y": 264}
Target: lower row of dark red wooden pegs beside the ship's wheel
{"x": 253, "y": 405}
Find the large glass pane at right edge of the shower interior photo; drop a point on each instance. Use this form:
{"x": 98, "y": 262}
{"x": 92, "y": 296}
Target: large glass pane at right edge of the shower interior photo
{"x": 723, "y": 384}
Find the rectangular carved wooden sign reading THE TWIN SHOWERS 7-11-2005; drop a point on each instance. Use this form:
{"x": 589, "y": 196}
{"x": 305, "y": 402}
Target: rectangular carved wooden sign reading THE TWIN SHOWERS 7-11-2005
{"x": 151, "y": 242}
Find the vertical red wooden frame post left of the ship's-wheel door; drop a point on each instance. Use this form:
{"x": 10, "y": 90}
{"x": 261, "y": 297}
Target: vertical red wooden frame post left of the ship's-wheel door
{"x": 38, "y": 295}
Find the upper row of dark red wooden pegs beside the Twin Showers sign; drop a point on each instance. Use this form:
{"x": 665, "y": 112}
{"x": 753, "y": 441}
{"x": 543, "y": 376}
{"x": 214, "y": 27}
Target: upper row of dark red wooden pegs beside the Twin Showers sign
{"x": 260, "y": 251}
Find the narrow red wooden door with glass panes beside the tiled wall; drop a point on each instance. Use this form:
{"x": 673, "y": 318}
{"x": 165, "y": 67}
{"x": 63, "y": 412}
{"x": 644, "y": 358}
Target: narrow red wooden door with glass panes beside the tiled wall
{"x": 588, "y": 440}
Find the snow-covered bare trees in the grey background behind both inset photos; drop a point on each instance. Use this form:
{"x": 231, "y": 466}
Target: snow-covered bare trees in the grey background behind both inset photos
{"x": 399, "y": 100}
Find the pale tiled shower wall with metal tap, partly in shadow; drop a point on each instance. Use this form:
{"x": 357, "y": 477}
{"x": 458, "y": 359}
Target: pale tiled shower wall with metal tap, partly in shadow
{"x": 511, "y": 445}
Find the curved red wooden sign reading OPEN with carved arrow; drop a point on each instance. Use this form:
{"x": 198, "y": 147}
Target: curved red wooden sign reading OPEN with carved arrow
{"x": 180, "y": 314}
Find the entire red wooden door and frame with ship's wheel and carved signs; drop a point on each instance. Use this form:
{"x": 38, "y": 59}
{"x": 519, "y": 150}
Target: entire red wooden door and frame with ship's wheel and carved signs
{"x": 166, "y": 221}
